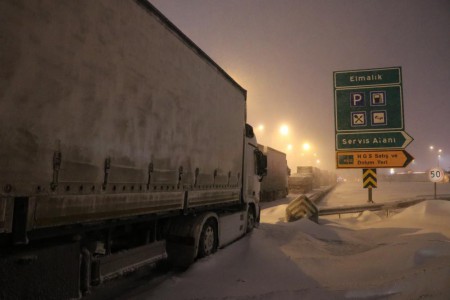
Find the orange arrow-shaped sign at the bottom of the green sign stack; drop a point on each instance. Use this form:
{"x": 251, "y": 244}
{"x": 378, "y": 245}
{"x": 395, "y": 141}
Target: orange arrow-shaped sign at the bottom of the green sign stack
{"x": 372, "y": 159}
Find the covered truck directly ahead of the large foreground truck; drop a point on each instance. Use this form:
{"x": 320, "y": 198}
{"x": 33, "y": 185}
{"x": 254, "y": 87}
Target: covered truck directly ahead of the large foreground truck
{"x": 275, "y": 185}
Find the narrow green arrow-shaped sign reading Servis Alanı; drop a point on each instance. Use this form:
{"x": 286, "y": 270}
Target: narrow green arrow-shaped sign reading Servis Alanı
{"x": 373, "y": 140}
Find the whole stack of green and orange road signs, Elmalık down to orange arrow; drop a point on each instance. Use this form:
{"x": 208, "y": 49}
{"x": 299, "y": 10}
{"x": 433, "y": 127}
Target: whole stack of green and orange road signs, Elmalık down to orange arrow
{"x": 368, "y": 107}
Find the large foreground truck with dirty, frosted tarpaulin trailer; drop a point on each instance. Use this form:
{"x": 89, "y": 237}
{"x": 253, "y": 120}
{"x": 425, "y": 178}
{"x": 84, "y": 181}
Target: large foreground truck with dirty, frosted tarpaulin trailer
{"x": 122, "y": 143}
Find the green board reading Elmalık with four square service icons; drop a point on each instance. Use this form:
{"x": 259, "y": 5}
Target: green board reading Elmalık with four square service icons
{"x": 368, "y": 100}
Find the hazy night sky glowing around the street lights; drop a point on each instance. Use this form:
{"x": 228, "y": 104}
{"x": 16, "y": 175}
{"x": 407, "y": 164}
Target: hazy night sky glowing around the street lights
{"x": 284, "y": 52}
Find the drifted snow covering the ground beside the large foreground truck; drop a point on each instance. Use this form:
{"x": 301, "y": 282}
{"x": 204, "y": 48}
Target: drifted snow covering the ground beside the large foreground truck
{"x": 406, "y": 256}
